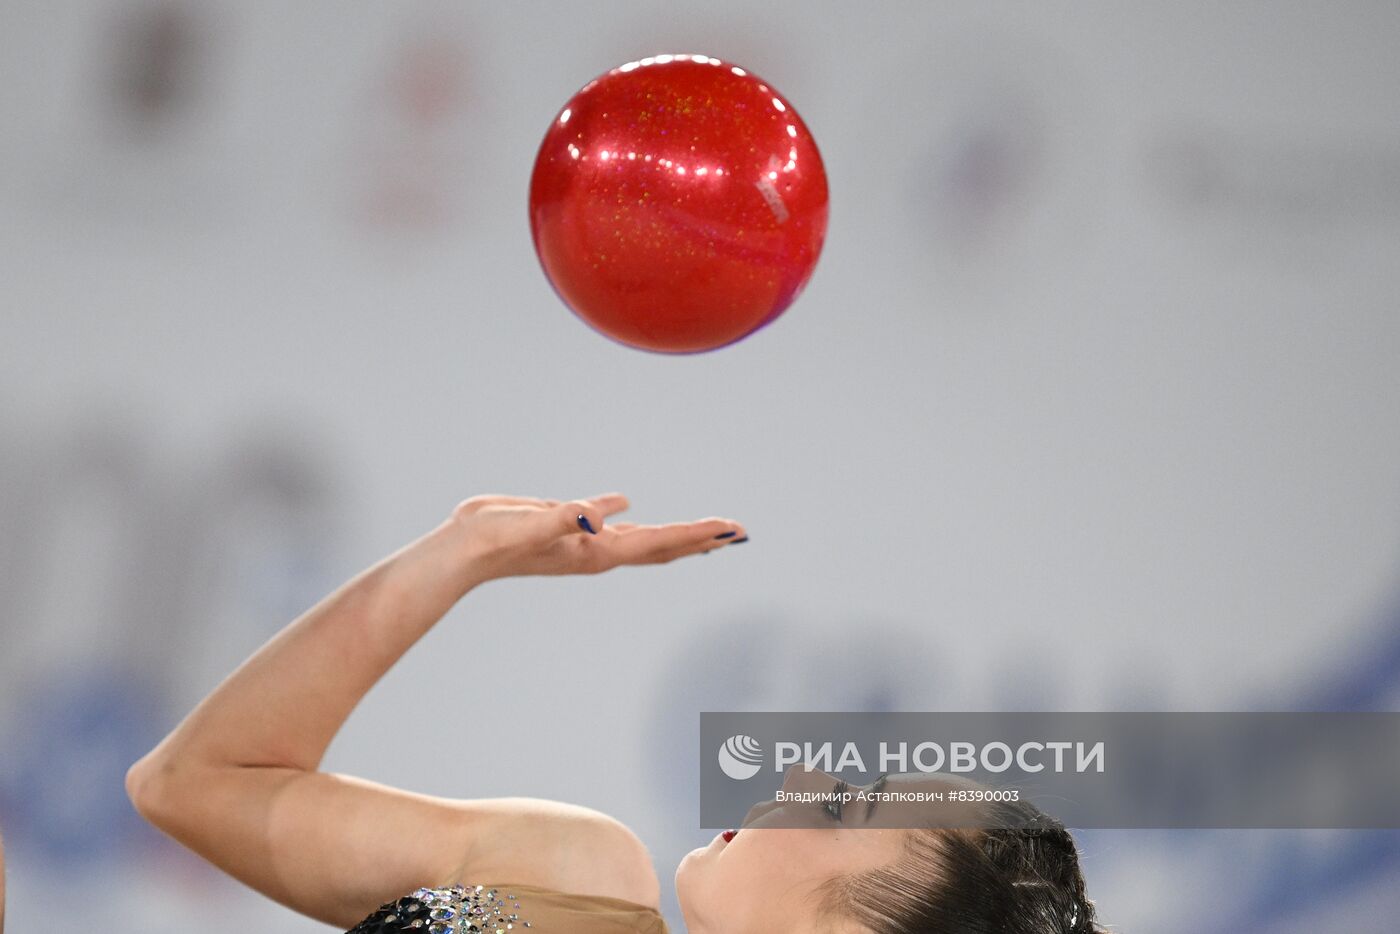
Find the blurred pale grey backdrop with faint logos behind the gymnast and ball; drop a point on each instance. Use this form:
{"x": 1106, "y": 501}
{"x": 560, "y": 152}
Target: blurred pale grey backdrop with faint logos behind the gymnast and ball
{"x": 1094, "y": 403}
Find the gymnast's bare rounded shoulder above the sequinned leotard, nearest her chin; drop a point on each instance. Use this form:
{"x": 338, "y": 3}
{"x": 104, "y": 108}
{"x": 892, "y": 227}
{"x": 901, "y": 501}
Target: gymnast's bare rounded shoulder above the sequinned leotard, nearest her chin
{"x": 552, "y": 845}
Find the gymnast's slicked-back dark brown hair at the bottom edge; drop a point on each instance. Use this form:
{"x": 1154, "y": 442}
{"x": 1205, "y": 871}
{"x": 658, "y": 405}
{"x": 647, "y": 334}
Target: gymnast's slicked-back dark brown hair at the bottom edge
{"x": 979, "y": 881}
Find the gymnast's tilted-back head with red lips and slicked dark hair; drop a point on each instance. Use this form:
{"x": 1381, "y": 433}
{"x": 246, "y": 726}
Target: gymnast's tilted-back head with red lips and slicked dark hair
{"x": 829, "y": 867}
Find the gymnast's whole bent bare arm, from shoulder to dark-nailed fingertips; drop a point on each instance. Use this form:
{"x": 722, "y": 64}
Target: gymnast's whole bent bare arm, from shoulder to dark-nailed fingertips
{"x": 239, "y": 781}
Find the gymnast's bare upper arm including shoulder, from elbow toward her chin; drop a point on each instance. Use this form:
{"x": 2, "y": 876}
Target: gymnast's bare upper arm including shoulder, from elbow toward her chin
{"x": 337, "y": 848}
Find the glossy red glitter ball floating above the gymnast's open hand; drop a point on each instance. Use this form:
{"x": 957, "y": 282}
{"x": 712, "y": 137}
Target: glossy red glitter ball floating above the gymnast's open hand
{"x": 678, "y": 204}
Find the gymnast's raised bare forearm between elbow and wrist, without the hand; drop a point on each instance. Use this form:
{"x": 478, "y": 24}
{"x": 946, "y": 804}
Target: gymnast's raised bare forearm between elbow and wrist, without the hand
{"x": 285, "y": 705}
